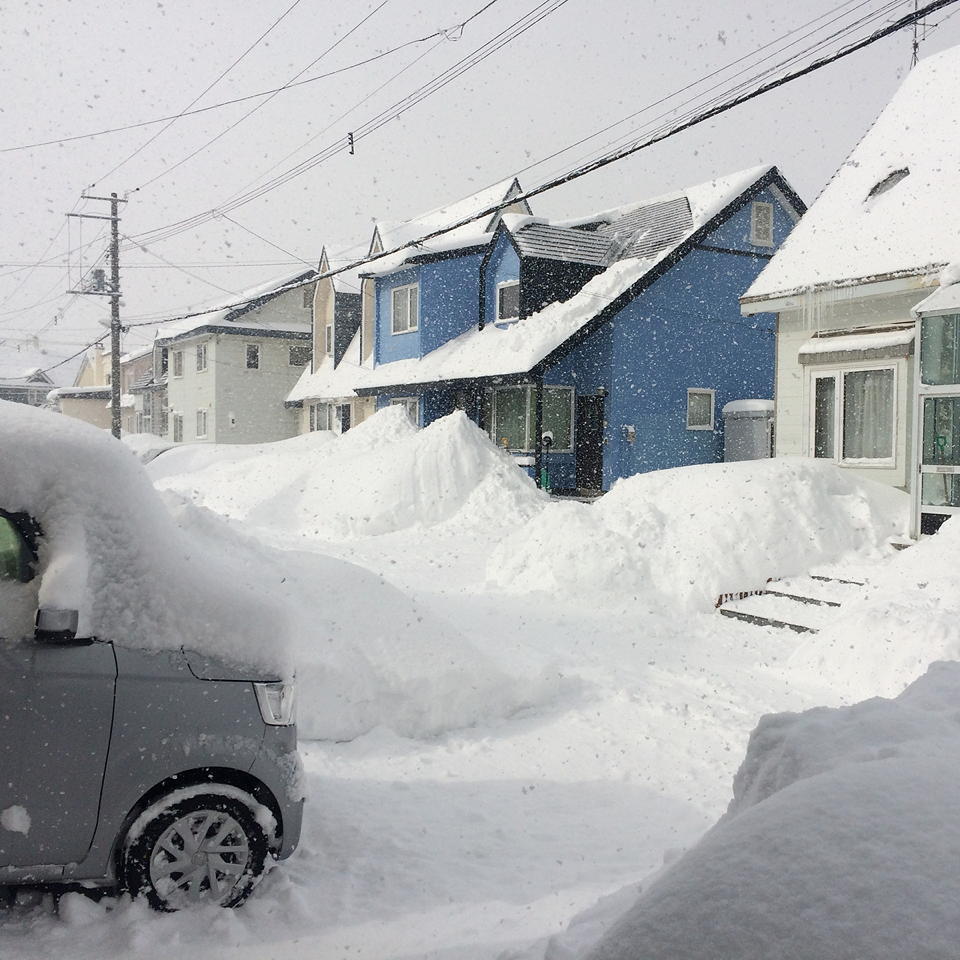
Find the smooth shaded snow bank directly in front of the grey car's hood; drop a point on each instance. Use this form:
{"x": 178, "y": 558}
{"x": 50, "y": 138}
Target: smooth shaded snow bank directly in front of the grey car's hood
{"x": 365, "y": 654}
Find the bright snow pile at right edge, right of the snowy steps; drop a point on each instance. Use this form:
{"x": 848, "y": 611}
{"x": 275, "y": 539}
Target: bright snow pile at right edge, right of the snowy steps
{"x": 908, "y": 616}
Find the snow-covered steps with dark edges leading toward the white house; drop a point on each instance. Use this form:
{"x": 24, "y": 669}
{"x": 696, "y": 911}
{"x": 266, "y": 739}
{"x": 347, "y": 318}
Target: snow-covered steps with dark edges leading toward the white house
{"x": 802, "y": 604}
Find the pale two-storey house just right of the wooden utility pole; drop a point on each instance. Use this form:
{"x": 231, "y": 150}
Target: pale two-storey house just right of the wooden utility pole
{"x": 229, "y": 370}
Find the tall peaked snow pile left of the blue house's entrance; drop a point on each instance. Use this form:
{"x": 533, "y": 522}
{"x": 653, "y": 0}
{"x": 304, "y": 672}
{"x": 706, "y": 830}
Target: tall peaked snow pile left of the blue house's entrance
{"x": 380, "y": 477}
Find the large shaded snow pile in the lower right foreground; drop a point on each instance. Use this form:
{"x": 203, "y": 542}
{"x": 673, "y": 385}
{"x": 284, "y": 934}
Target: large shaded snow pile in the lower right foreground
{"x": 841, "y": 841}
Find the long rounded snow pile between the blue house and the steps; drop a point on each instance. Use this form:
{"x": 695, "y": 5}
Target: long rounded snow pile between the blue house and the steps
{"x": 693, "y": 533}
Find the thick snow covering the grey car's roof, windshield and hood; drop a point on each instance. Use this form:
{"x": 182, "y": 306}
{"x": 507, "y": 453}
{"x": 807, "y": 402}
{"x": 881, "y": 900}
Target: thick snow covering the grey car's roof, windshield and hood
{"x": 111, "y": 551}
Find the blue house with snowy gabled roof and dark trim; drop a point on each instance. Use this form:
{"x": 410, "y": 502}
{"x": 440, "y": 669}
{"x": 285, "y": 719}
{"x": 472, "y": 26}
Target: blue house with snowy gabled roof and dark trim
{"x": 591, "y": 349}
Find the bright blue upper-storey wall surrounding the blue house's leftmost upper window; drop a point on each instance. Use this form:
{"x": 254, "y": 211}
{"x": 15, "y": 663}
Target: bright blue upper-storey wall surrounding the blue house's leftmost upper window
{"x": 449, "y": 299}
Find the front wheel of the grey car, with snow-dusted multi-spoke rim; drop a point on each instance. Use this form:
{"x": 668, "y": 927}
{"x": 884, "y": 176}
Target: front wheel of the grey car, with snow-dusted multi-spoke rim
{"x": 205, "y": 848}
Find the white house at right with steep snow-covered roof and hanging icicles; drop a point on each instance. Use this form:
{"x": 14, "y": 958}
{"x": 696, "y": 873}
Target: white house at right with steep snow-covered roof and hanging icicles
{"x": 844, "y": 283}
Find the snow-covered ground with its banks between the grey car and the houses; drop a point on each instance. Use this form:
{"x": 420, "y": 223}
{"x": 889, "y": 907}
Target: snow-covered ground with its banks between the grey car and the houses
{"x": 515, "y": 707}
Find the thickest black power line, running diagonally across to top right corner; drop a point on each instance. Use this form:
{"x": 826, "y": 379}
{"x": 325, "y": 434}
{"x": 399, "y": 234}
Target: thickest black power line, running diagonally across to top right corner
{"x": 604, "y": 161}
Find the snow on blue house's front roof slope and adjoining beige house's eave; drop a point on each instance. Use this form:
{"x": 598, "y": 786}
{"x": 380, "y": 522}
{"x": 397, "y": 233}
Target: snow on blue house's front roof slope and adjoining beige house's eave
{"x": 500, "y": 350}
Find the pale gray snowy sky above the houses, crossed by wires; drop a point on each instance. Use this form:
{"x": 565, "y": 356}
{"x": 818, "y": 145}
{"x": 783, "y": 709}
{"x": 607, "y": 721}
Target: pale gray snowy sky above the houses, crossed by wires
{"x": 70, "y": 67}
